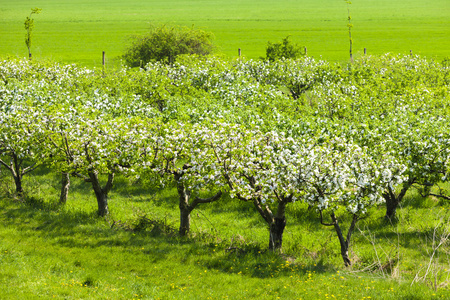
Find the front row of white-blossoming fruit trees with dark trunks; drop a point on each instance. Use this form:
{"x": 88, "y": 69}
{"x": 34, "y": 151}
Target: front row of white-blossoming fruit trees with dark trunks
{"x": 204, "y": 161}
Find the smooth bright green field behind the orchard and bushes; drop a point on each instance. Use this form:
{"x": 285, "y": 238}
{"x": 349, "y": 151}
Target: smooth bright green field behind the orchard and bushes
{"x": 79, "y": 30}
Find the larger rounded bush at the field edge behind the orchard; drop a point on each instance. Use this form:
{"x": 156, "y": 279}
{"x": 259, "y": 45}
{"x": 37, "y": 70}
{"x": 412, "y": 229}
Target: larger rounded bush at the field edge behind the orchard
{"x": 163, "y": 43}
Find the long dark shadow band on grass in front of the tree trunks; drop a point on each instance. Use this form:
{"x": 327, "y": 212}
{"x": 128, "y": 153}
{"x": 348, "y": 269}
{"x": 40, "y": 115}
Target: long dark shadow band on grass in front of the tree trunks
{"x": 81, "y": 230}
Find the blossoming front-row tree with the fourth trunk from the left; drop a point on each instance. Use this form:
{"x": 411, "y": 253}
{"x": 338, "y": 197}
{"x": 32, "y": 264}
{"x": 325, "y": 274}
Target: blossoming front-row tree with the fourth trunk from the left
{"x": 178, "y": 153}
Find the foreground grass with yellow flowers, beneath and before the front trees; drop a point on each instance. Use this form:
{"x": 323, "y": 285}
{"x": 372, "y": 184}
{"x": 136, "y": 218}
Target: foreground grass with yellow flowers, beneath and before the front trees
{"x": 53, "y": 251}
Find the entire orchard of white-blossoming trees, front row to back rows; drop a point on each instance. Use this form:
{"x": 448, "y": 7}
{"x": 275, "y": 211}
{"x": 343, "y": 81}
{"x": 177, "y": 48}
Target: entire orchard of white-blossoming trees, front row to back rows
{"x": 97, "y": 127}
